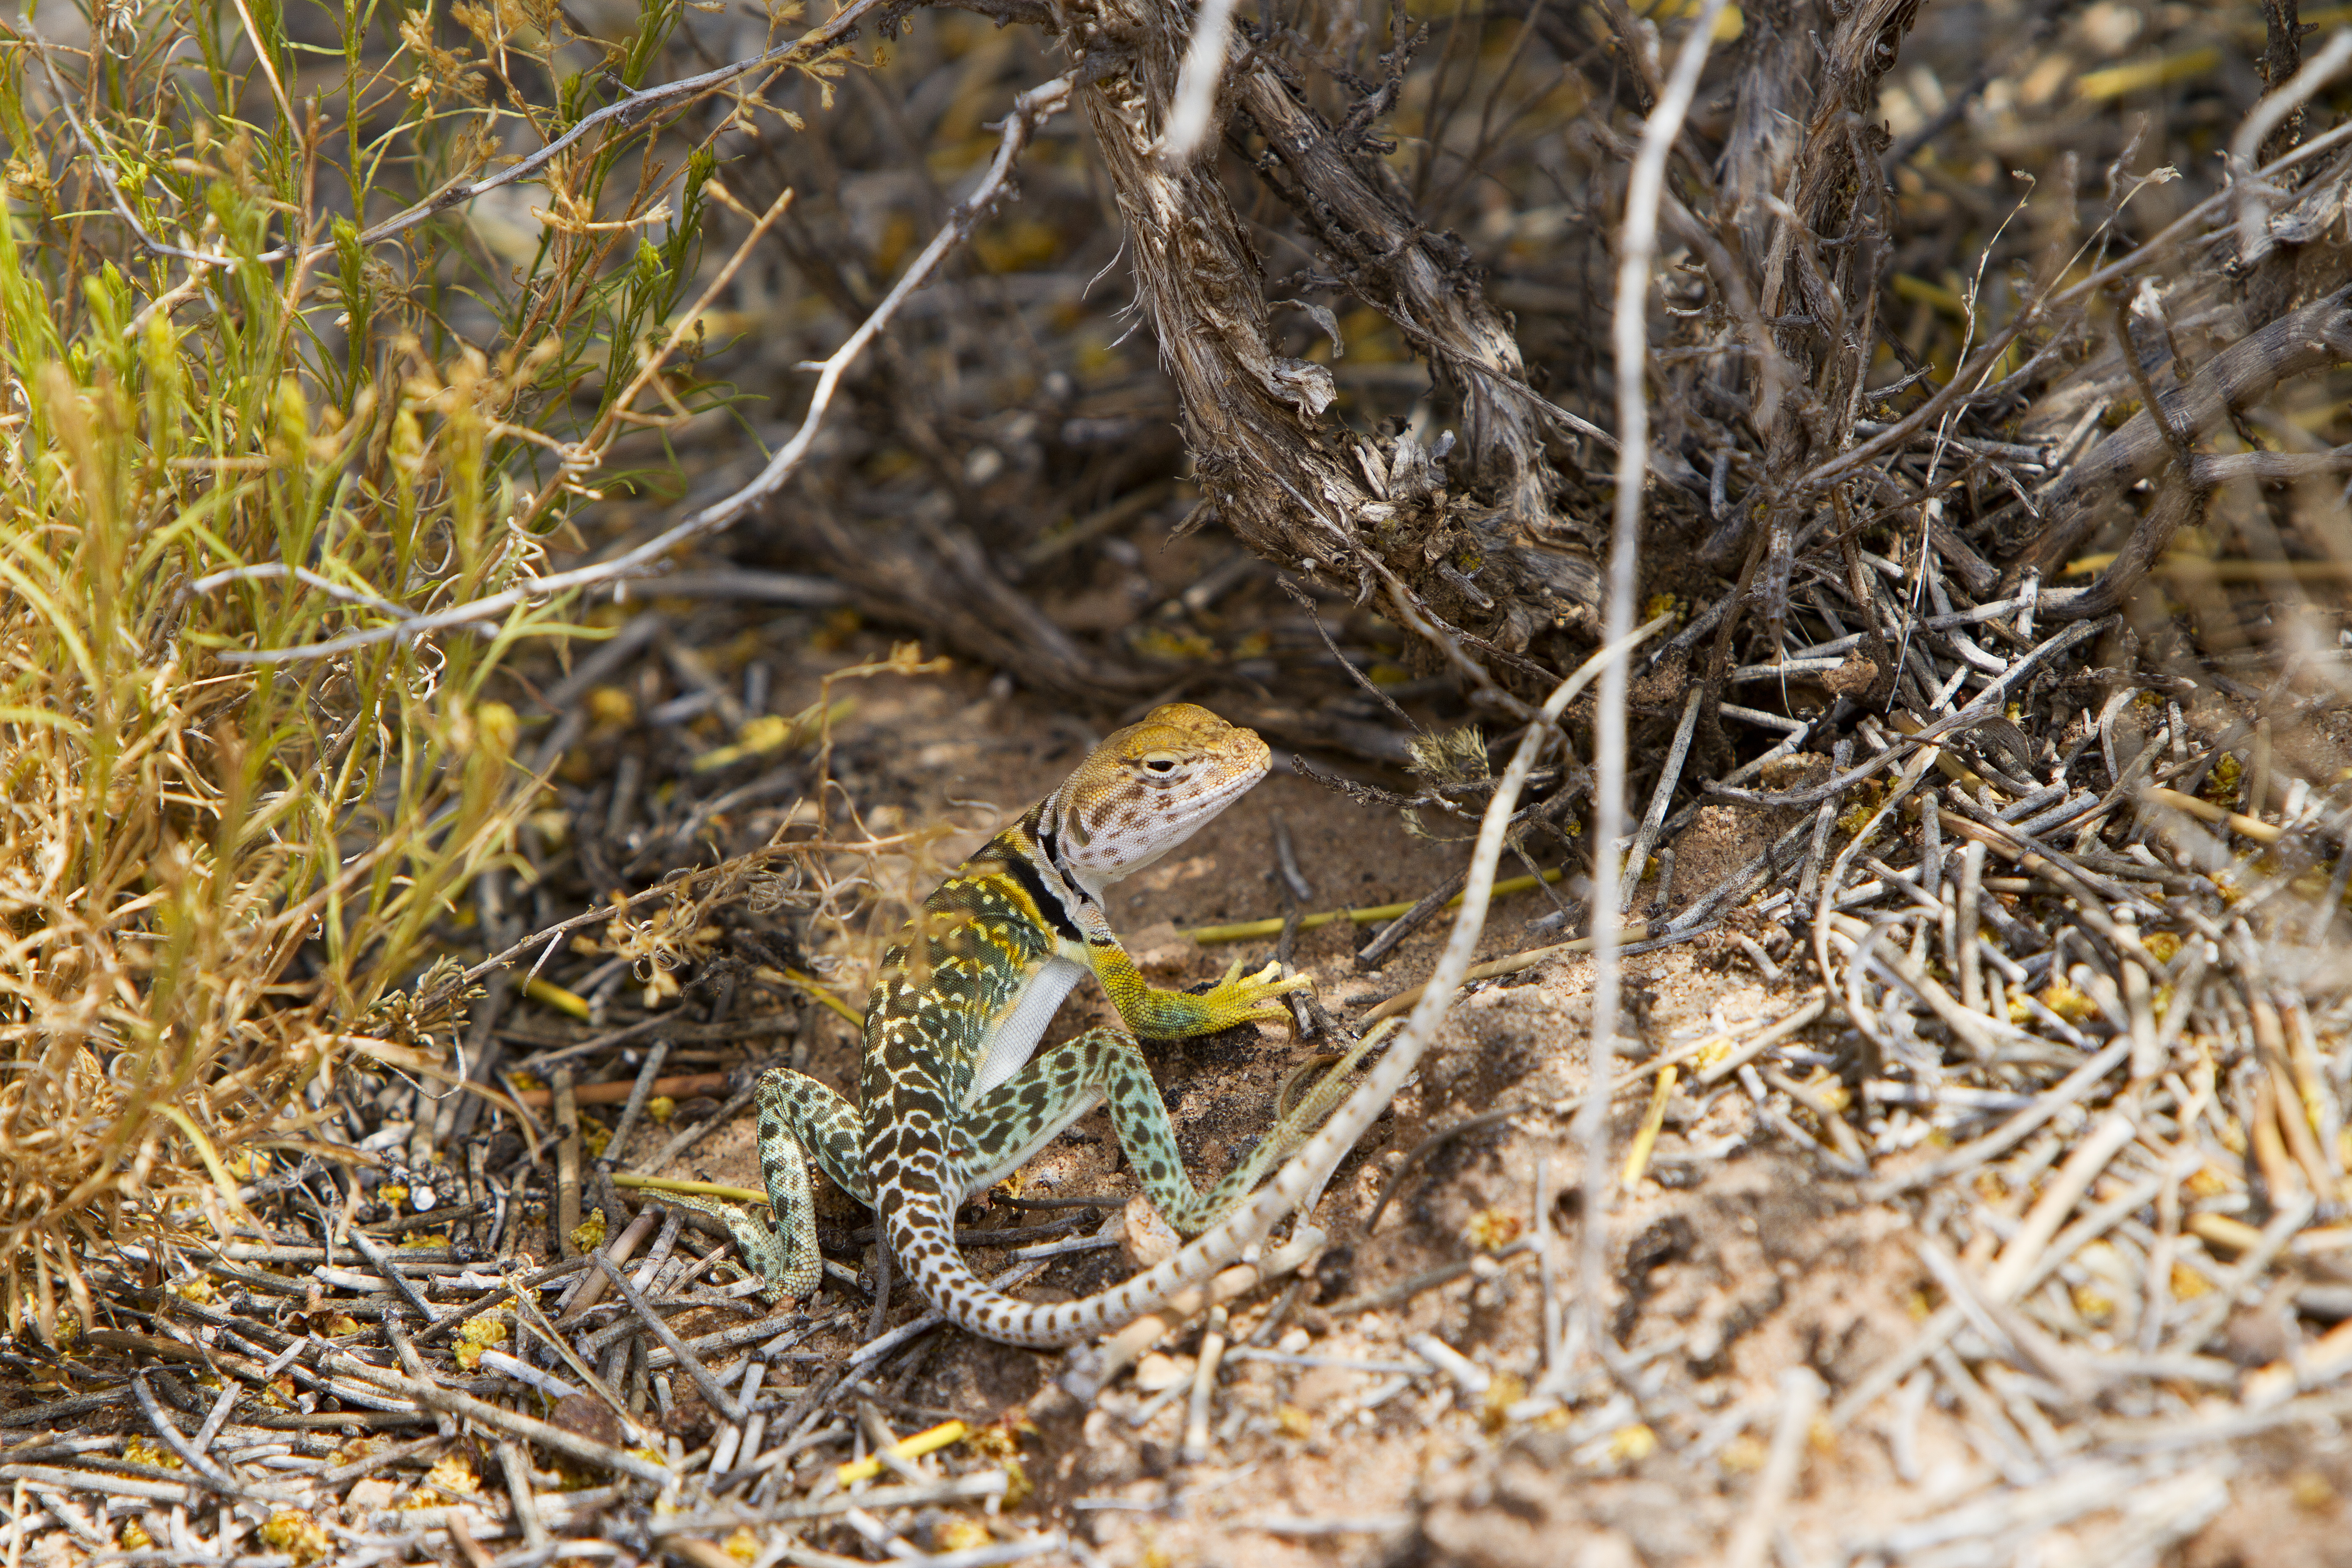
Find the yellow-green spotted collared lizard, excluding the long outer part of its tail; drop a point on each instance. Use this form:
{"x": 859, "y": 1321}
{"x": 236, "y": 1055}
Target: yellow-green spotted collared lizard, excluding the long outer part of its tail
{"x": 954, "y": 1094}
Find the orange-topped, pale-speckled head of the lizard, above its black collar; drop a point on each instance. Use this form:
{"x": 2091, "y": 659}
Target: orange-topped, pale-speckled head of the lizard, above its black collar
{"x": 1149, "y": 789}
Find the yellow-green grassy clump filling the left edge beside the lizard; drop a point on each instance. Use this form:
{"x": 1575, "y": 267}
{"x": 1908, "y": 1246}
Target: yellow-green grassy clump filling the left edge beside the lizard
{"x": 239, "y": 424}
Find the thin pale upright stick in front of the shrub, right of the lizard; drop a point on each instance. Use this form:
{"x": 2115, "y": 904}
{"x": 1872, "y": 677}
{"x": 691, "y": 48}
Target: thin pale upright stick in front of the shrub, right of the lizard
{"x": 1638, "y": 248}
